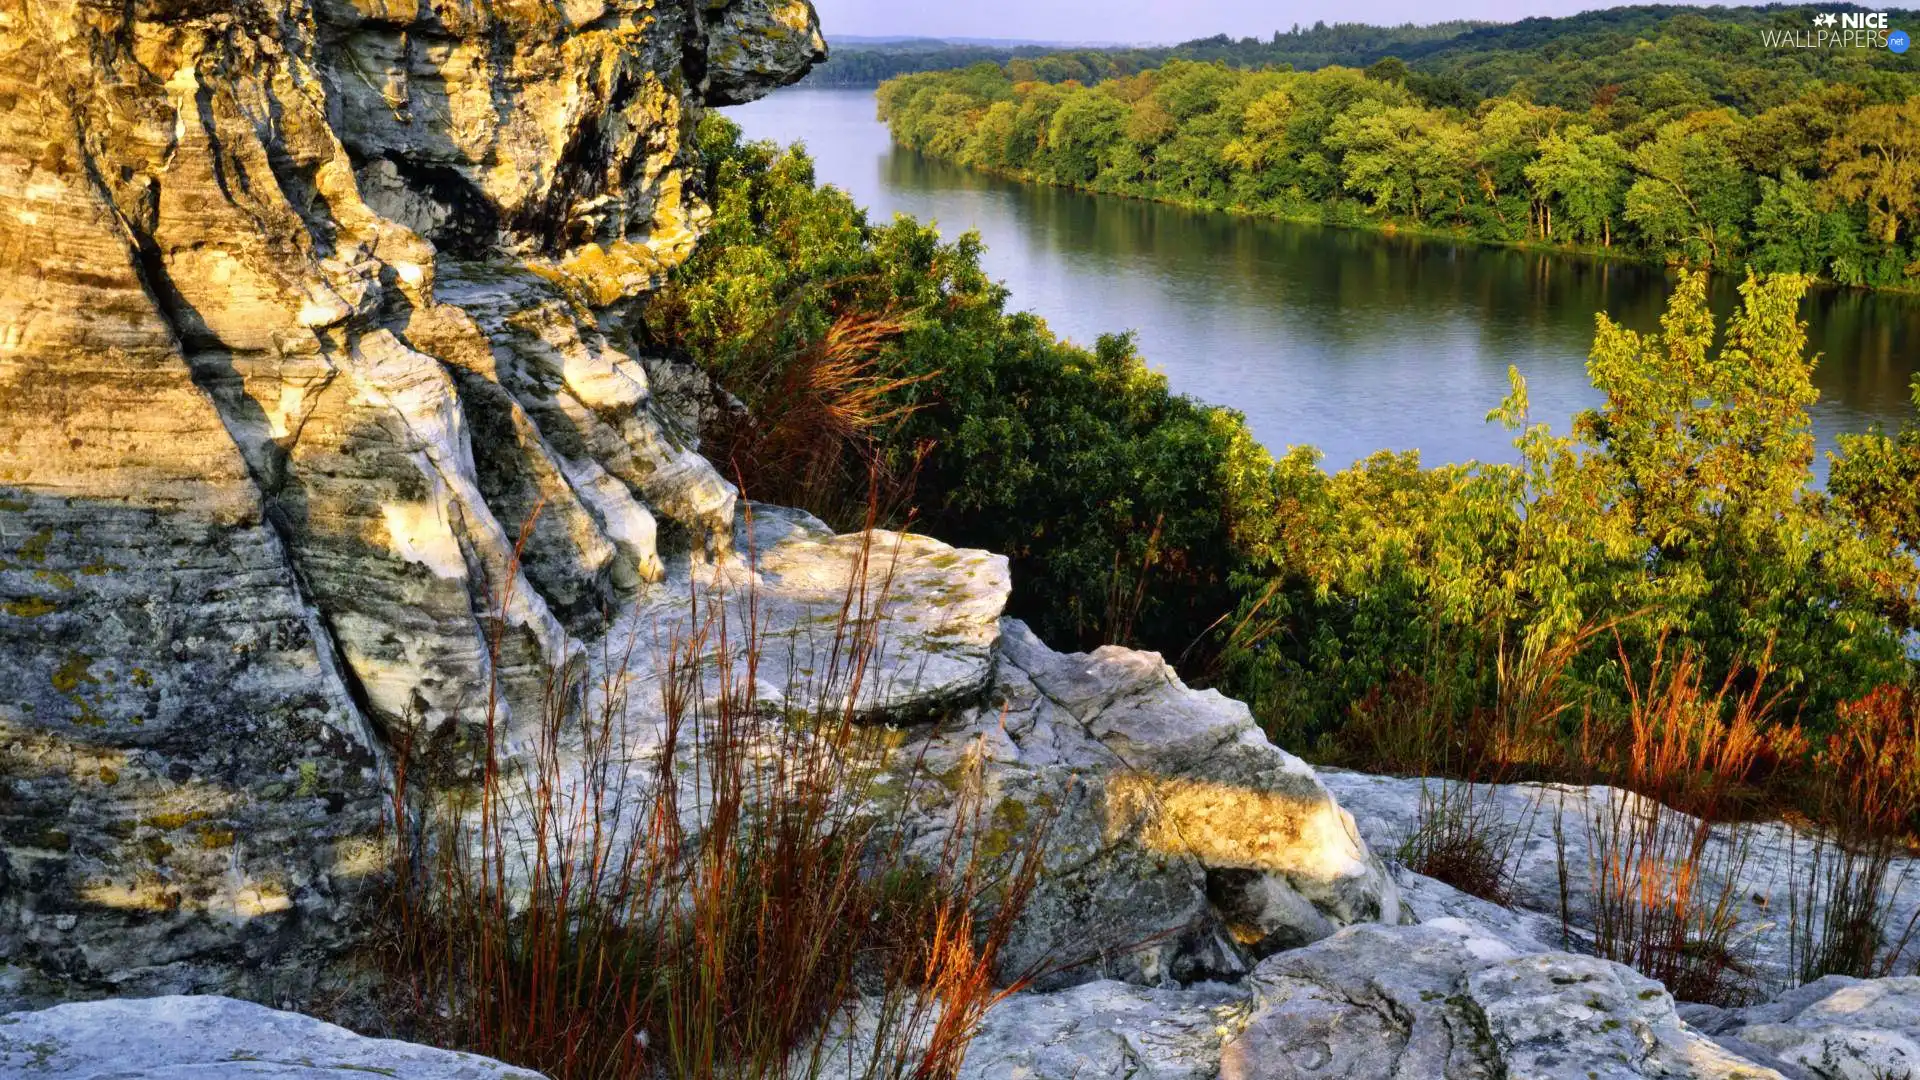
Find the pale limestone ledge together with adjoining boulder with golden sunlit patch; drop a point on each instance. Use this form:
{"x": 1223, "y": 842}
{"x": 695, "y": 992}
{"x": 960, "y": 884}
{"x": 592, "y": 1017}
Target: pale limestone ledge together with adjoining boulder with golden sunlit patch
{"x": 1178, "y": 843}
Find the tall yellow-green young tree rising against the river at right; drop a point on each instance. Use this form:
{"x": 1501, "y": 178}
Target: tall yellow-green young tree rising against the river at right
{"x": 1712, "y": 454}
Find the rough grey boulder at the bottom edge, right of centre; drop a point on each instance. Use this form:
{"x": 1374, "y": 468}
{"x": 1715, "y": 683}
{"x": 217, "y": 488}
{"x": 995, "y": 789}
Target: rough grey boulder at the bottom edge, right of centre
{"x": 1439, "y": 1000}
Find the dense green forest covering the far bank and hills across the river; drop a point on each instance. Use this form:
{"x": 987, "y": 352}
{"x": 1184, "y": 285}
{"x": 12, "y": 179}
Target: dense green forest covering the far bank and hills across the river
{"x": 1658, "y": 134}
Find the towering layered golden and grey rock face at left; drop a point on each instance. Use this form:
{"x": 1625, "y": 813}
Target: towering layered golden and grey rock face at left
{"x": 304, "y": 312}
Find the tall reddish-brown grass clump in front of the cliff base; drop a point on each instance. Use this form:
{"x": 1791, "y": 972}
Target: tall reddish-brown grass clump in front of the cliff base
{"x": 667, "y": 879}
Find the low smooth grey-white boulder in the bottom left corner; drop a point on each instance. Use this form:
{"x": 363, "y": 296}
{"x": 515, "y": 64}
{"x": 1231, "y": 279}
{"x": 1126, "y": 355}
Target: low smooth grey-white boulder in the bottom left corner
{"x": 214, "y": 1039}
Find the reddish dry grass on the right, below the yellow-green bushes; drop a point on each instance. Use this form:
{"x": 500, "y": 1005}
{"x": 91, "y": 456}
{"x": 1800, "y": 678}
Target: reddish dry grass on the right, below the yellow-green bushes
{"x": 1664, "y": 885}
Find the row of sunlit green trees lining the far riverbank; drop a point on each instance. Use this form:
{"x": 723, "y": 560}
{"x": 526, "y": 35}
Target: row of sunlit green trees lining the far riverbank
{"x": 1691, "y": 184}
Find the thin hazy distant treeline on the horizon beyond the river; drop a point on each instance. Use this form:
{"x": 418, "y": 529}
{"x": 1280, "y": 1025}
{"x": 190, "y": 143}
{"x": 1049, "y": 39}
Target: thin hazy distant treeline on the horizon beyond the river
{"x": 1316, "y": 47}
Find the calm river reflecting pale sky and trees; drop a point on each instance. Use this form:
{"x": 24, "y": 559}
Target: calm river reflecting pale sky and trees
{"x": 1328, "y": 337}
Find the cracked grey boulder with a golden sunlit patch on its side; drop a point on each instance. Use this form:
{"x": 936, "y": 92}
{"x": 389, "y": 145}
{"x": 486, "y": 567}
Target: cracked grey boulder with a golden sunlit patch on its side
{"x": 1180, "y": 843}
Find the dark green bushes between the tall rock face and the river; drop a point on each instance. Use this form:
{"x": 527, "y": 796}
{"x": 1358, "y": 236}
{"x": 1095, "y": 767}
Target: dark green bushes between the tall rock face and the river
{"x": 1076, "y": 464}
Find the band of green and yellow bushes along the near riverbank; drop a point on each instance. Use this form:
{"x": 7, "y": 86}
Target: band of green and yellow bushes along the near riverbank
{"x": 1683, "y": 514}
